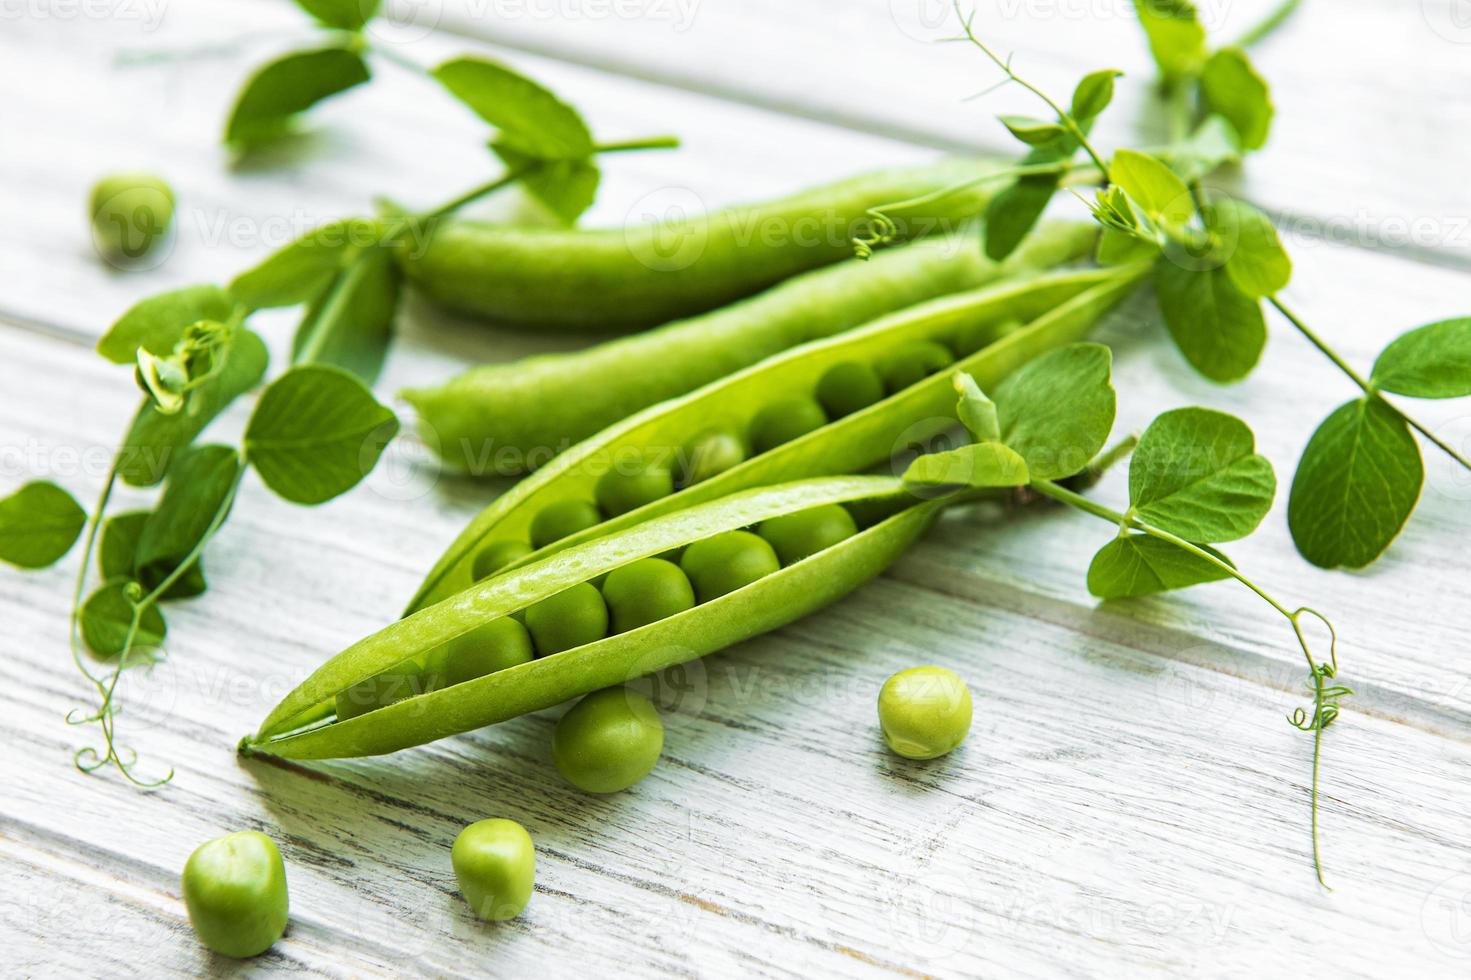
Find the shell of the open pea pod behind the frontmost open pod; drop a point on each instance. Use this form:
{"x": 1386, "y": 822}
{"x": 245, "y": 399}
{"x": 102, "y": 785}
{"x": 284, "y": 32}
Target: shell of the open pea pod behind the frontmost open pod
{"x": 1053, "y": 310}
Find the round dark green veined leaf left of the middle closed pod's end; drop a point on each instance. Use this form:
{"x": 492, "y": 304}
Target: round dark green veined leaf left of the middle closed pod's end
{"x": 316, "y": 433}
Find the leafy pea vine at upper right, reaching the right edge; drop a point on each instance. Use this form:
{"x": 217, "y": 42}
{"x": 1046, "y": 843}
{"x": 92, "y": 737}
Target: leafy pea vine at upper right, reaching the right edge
{"x": 1217, "y": 261}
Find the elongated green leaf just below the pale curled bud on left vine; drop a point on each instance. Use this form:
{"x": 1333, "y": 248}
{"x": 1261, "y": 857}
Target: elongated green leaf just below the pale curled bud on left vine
{"x": 157, "y": 439}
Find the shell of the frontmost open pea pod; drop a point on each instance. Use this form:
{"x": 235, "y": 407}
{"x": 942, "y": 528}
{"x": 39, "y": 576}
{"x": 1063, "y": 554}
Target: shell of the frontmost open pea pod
{"x": 304, "y": 725}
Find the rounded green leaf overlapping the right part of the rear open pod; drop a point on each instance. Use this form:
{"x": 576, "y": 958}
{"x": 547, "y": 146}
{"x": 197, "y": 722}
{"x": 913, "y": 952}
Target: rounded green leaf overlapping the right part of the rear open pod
{"x": 1057, "y": 411}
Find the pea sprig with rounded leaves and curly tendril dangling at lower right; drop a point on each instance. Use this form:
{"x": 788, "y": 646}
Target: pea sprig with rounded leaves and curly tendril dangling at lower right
{"x": 1195, "y": 482}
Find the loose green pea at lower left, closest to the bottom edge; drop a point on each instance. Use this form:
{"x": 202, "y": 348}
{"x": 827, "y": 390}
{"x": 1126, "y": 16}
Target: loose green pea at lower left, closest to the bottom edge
{"x": 235, "y": 891}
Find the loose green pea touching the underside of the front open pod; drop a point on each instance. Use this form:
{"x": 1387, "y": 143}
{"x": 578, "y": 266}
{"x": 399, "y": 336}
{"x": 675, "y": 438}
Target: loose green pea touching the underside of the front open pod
{"x": 608, "y": 741}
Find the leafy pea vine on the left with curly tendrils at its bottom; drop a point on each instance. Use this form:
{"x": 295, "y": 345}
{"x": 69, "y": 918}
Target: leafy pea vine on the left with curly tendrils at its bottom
{"x": 316, "y": 432}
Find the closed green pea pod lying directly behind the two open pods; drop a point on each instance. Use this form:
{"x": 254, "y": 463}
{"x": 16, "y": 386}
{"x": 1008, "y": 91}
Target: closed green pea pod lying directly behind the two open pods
{"x": 513, "y": 417}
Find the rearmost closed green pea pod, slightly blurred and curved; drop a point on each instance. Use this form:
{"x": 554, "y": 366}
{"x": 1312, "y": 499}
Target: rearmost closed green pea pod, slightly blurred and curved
{"x": 616, "y": 280}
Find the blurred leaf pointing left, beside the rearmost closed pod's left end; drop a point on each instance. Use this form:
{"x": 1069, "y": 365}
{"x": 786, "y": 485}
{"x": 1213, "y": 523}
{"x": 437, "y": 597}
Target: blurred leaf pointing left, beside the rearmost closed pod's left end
{"x": 302, "y": 270}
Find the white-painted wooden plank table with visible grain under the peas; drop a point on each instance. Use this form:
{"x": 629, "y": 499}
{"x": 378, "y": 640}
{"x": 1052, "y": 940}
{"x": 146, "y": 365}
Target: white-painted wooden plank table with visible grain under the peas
{"x": 1130, "y": 800}
